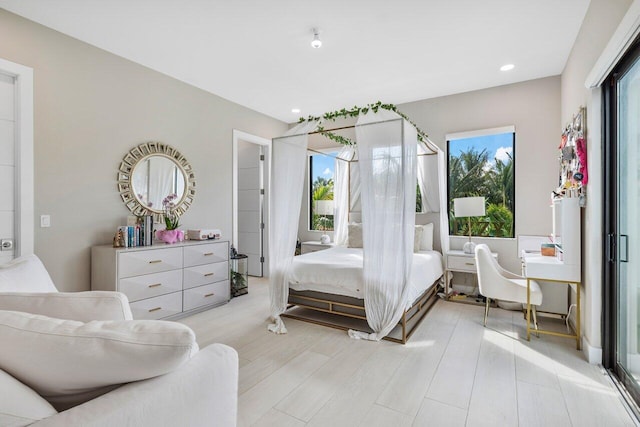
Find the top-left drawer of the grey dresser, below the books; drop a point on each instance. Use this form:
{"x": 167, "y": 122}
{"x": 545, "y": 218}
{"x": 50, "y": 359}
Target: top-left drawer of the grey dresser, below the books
{"x": 136, "y": 263}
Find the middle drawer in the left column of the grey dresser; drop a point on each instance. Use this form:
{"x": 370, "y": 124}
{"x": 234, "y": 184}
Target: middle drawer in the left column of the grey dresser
{"x": 151, "y": 285}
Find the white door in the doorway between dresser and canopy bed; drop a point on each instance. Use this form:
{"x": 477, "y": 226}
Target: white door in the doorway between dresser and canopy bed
{"x": 250, "y": 205}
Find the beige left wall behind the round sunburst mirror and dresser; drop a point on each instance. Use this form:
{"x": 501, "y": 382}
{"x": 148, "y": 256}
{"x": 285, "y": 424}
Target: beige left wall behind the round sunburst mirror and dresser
{"x": 91, "y": 108}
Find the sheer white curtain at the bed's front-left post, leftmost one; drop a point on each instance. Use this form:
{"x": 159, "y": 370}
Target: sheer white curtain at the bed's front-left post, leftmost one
{"x": 288, "y": 157}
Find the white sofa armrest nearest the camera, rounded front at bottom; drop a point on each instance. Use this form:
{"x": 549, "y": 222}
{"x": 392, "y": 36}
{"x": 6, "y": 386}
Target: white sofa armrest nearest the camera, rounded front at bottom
{"x": 203, "y": 392}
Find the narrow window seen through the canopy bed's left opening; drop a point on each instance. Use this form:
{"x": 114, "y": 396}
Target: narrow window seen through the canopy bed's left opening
{"x": 322, "y": 169}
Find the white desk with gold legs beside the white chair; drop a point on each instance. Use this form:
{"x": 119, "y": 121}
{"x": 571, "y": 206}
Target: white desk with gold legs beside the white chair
{"x": 550, "y": 269}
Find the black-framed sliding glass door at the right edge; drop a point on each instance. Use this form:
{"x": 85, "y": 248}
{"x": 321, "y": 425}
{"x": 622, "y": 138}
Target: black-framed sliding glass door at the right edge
{"x": 623, "y": 223}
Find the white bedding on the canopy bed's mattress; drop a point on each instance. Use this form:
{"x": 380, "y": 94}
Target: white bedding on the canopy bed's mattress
{"x": 338, "y": 270}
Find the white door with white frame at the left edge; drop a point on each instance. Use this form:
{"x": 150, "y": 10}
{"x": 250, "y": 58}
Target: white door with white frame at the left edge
{"x": 16, "y": 160}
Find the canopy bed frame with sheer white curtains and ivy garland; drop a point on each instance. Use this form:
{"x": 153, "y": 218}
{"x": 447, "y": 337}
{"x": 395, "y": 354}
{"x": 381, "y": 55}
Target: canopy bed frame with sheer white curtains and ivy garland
{"x": 390, "y": 151}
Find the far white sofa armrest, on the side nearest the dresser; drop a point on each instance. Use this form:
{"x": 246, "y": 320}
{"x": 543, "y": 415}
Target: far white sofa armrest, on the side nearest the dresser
{"x": 79, "y": 306}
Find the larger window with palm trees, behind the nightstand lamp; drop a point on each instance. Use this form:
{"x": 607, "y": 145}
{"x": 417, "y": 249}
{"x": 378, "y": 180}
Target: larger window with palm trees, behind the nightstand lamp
{"x": 481, "y": 163}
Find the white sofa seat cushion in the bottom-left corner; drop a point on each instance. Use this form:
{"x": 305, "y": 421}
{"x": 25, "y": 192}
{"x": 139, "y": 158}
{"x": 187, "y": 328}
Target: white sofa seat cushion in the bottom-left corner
{"x": 19, "y": 405}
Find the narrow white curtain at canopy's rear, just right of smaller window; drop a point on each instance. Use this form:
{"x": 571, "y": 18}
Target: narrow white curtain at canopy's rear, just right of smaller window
{"x": 341, "y": 194}
